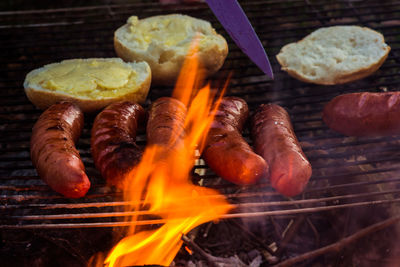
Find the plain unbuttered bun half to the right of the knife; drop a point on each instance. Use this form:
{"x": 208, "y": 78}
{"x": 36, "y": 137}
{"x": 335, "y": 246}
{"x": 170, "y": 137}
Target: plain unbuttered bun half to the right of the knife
{"x": 334, "y": 55}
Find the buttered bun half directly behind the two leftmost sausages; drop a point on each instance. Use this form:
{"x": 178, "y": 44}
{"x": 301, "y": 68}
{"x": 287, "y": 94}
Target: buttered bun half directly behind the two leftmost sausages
{"x": 91, "y": 83}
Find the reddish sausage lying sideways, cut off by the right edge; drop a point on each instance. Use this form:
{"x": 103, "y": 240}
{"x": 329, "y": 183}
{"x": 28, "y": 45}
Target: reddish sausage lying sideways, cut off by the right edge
{"x": 364, "y": 114}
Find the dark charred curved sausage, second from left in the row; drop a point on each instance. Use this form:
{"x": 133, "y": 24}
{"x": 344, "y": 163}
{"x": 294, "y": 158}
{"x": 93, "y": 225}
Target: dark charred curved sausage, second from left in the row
{"x": 113, "y": 140}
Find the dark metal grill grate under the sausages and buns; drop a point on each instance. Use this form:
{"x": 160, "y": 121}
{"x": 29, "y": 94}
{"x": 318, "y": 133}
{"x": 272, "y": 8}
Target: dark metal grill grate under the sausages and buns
{"x": 349, "y": 174}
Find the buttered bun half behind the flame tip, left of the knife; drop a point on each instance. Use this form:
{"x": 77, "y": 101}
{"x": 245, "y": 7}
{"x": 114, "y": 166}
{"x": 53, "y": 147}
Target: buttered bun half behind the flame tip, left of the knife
{"x": 164, "y": 41}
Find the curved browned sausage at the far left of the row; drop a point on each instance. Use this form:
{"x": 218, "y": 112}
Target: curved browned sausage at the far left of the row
{"x": 53, "y": 151}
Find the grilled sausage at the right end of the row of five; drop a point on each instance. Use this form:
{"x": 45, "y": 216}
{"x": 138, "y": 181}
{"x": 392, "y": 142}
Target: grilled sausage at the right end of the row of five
{"x": 275, "y": 140}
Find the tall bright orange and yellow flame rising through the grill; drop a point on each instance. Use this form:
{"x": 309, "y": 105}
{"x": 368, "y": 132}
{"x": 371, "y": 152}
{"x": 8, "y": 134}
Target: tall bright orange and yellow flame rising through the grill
{"x": 160, "y": 186}
